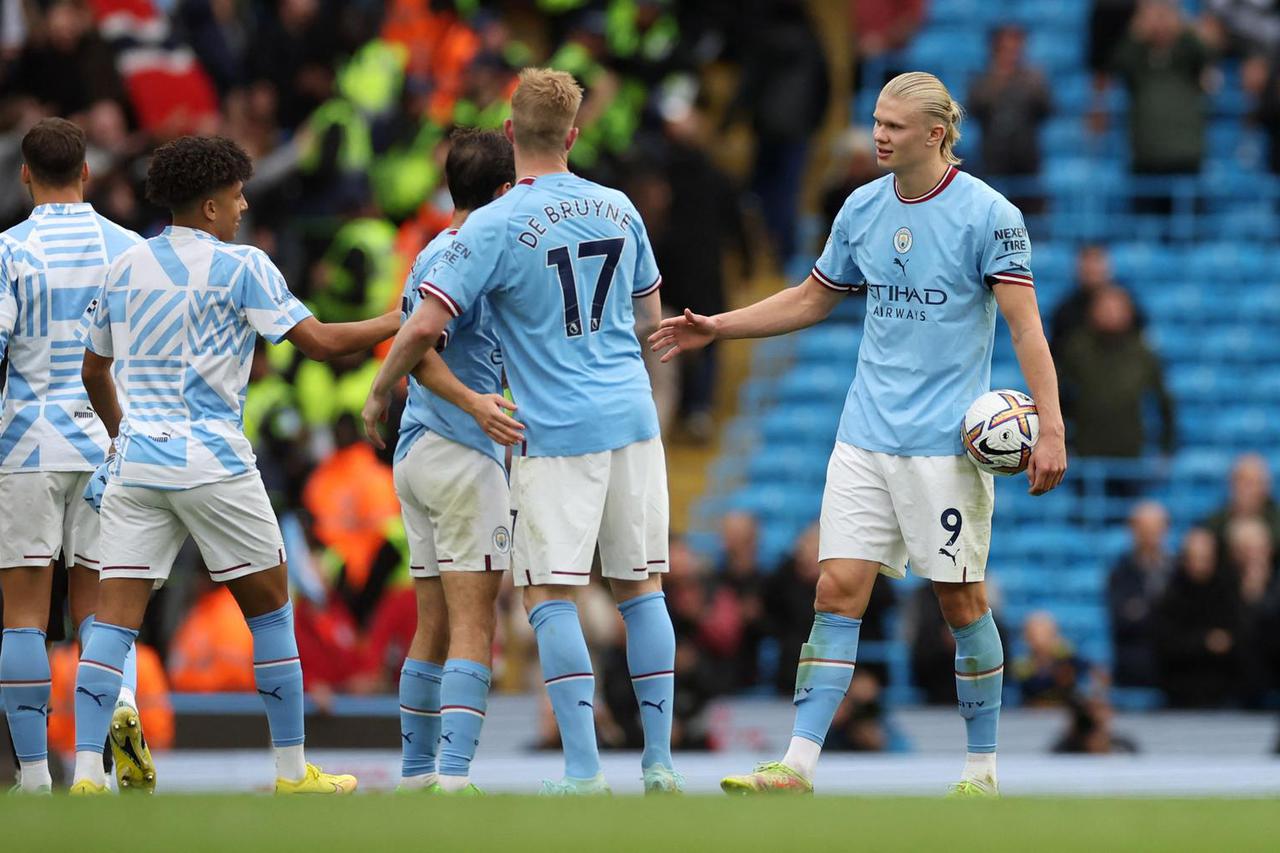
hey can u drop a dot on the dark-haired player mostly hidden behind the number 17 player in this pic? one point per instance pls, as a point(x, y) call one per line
point(452, 485)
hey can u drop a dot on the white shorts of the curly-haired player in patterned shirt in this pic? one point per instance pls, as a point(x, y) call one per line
point(232, 523)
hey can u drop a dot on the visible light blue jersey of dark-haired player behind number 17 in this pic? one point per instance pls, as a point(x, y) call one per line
point(470, 350)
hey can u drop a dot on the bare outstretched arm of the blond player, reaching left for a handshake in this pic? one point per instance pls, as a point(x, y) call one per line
point(796, 308)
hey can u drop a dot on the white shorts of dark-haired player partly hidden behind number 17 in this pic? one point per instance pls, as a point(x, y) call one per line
point(456, 508)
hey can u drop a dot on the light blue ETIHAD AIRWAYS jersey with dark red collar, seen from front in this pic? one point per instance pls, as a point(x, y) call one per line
point(929, 266)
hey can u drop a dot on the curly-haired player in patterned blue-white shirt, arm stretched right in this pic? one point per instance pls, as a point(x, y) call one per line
point(172, 332)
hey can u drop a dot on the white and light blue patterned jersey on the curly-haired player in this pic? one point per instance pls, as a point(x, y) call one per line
point(179, 314)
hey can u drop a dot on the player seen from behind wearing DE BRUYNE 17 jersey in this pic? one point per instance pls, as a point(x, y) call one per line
point(566, 267)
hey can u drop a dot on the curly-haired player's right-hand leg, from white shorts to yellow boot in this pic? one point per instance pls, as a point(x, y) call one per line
point(240, 540)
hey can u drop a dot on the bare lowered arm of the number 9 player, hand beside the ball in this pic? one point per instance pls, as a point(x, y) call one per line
point(1049, 460)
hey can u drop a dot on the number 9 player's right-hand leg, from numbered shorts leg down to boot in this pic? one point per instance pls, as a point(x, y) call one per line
point(945, 512)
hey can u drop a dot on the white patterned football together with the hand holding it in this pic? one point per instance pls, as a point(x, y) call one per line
point(1002, 434)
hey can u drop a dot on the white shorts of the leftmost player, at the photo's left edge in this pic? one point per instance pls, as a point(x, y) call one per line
point(44, 514)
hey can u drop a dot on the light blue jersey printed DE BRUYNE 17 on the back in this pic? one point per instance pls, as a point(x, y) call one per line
point(560, 261)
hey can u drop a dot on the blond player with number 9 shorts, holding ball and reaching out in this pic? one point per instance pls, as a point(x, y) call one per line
point(938, 253)
